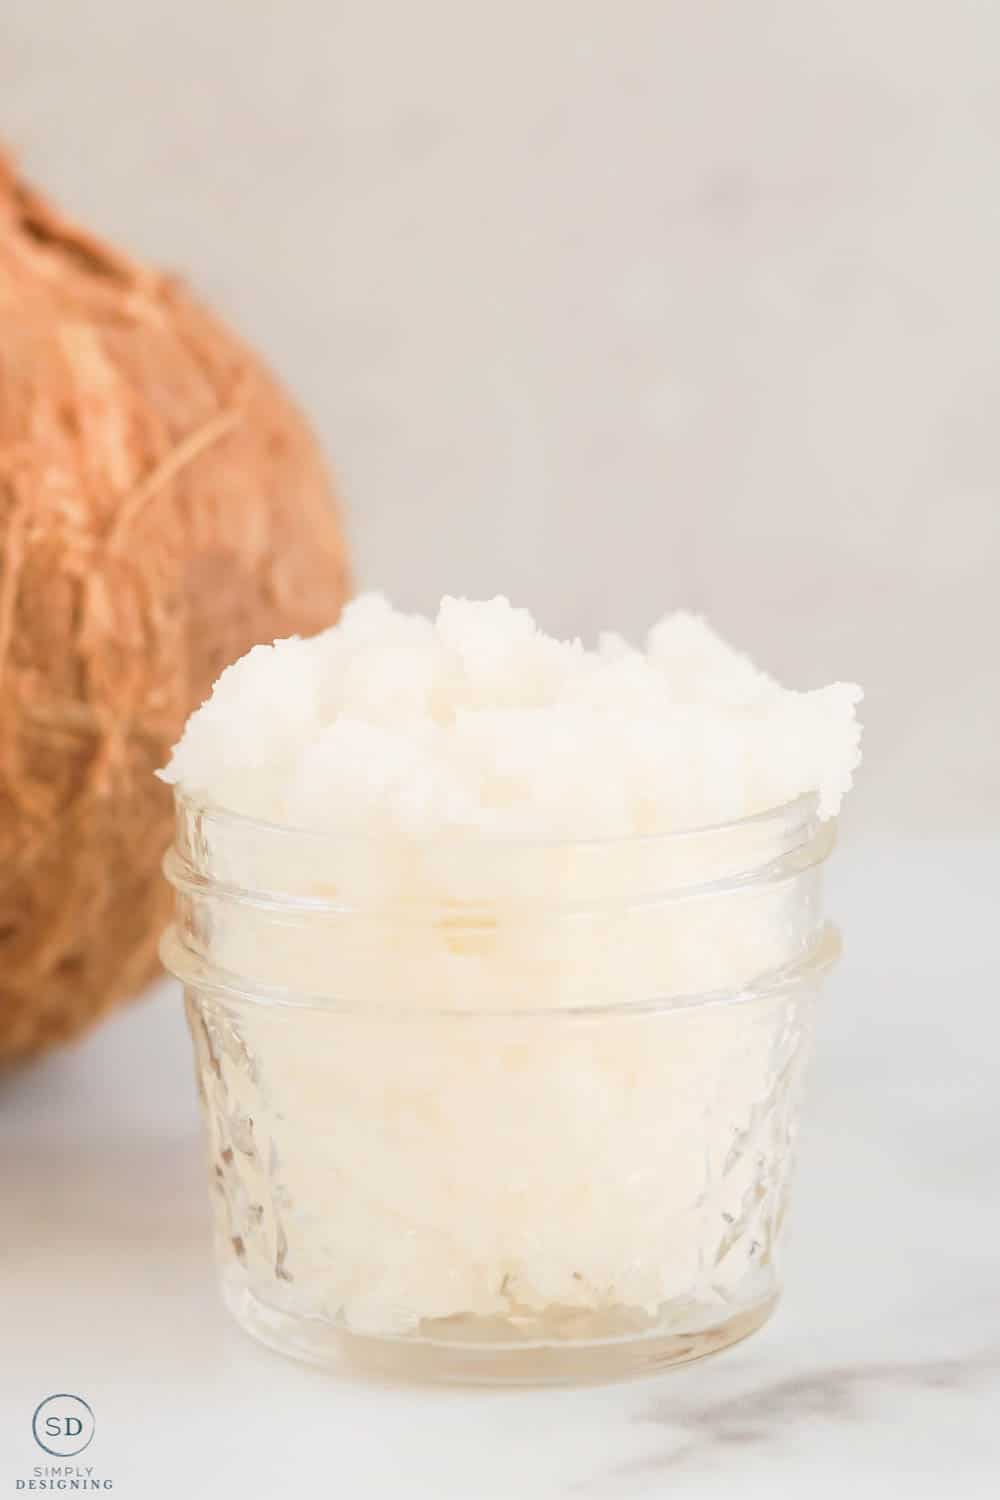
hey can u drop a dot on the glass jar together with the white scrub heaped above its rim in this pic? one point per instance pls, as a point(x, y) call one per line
point(500, 958)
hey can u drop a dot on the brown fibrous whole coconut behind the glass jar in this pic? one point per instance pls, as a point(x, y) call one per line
point(163, 509)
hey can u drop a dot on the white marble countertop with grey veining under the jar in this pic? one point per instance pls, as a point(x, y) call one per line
point(879, 1373)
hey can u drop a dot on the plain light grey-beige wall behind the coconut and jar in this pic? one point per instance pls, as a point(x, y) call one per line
point(606, 307)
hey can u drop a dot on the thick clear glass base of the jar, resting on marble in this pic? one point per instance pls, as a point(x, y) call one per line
point(454, 1363)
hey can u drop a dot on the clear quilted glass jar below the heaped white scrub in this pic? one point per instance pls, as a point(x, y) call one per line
point(504, 1111)
